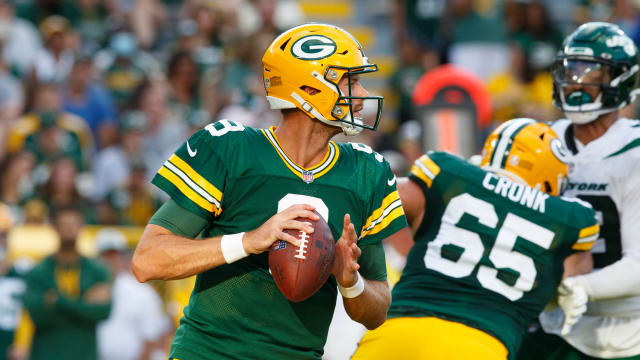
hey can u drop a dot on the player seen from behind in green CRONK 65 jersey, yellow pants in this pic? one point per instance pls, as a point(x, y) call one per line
point(488, 252)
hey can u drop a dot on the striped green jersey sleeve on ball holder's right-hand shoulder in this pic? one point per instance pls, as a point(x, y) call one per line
point(385, 213)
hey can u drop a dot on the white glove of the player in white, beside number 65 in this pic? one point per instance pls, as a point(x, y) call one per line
point(572, 298)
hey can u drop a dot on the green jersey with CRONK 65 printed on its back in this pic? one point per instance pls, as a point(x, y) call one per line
point(489, 252)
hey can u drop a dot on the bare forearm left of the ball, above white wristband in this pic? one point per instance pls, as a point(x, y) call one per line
point(163, 255)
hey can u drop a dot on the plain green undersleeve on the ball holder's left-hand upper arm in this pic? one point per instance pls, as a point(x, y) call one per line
point(178, 220)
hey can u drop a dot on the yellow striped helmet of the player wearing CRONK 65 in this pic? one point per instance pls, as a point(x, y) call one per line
point(530, 151)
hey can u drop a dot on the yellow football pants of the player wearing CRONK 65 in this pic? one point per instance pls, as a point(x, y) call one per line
point(428, 338)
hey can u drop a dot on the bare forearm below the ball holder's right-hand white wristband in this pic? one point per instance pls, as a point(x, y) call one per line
point(370, 307)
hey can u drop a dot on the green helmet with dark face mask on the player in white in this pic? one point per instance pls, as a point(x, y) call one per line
point(595, 72)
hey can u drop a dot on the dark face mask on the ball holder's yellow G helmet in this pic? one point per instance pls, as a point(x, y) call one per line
point(343, 100)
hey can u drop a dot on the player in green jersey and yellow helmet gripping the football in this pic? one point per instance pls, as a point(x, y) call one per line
point(241, 187)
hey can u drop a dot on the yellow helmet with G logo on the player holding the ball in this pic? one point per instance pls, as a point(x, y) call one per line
point(317, 56)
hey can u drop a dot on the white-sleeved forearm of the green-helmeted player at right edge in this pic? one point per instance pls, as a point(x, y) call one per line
point(619, 279)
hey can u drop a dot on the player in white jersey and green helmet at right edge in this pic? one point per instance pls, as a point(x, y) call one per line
point(595, 75)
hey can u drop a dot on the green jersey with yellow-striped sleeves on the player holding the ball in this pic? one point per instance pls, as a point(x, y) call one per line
point(238, 177)
